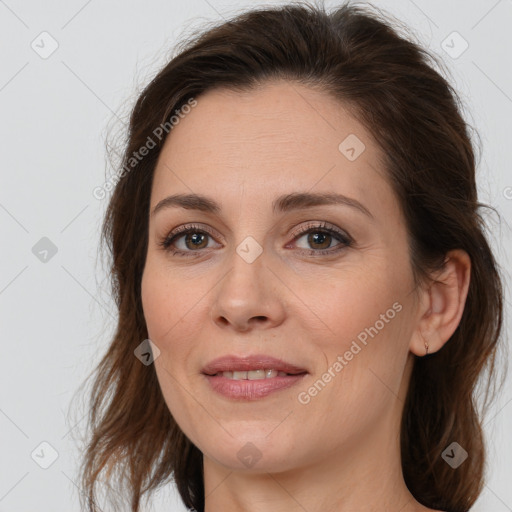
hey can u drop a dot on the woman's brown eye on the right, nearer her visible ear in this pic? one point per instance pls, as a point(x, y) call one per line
point(319, 239)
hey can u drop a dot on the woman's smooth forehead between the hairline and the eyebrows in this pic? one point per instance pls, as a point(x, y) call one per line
point(277, 138)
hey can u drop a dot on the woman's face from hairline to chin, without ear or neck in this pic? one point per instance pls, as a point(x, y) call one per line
point(325, 286)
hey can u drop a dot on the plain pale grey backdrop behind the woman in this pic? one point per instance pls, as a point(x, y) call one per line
point(69, 73)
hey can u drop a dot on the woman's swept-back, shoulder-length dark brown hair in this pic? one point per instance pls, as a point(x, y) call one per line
point(391, 85)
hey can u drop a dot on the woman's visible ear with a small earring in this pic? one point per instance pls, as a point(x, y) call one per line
point(442, 304)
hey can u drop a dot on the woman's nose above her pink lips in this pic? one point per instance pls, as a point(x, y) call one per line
point(249, 296)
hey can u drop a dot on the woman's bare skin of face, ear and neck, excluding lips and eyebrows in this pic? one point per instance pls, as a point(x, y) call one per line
point(339, 452)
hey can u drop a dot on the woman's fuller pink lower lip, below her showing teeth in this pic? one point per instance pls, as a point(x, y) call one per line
point(251, 389)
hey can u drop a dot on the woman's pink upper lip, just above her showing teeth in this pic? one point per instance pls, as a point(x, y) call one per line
point(254, 362)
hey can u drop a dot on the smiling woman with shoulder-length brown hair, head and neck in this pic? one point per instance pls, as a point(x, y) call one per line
point(295, 227)
